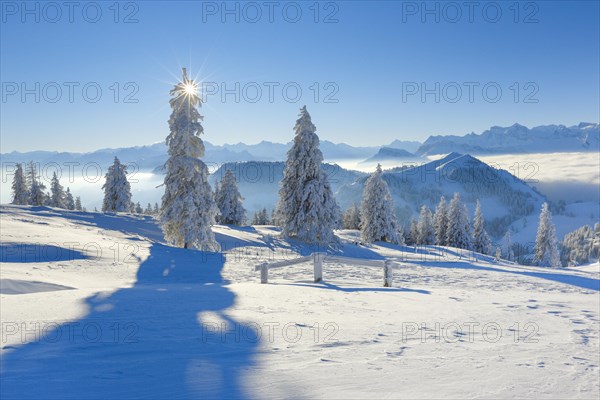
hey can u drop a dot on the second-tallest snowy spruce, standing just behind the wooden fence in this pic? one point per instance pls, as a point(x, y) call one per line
point(306, 209)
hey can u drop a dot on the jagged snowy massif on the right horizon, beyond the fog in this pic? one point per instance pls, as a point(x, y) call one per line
point(518, 139)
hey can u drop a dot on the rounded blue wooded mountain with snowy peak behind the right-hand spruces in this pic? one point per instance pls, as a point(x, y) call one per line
point(504, 197)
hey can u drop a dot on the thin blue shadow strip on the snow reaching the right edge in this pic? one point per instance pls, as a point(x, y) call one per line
point(568, 279)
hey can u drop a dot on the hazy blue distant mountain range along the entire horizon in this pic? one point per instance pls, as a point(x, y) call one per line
point(496, 140)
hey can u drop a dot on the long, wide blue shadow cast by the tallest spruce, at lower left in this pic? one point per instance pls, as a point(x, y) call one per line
point(141, 342)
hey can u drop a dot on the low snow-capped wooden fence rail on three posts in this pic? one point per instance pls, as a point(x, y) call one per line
point(319, 258)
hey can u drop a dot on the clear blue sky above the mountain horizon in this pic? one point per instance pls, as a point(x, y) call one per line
point(373, 58)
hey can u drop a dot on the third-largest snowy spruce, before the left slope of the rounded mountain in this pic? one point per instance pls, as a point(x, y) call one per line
point(378, 218)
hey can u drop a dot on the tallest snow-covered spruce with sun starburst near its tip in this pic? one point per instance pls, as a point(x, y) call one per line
point(188, 207)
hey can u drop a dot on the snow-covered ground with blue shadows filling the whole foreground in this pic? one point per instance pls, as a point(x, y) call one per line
point(97, 306)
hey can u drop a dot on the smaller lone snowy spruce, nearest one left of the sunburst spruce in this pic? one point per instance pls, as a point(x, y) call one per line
point(117, 190)
